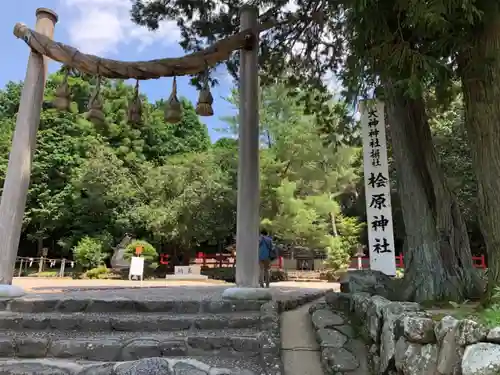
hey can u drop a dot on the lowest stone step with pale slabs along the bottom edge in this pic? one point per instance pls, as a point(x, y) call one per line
point(152, 366)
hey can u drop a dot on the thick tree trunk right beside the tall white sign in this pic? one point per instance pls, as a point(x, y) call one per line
point(438, 260)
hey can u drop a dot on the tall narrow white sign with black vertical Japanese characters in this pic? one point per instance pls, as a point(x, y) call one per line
point(377, 188)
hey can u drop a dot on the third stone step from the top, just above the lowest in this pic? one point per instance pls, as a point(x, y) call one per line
point(128, 346)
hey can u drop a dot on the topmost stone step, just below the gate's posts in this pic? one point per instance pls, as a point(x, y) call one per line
point(58, 303)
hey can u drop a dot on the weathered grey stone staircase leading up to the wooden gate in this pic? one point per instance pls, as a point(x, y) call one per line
point(57, 335)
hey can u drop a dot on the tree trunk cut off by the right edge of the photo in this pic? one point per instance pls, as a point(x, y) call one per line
point(479, 67)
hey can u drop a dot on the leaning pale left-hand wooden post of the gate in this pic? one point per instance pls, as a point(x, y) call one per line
point(17, 179)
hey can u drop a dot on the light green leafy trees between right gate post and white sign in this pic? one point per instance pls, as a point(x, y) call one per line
point(303, 178)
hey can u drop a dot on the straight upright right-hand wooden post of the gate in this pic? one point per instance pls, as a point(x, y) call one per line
point(247, 222)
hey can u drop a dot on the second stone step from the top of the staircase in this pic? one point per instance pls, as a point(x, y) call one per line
point(128, 322)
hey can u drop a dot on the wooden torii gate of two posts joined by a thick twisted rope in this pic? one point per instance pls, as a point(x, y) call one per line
point(42, 46)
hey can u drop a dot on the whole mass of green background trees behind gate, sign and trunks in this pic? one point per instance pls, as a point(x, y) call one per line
point(166, 184)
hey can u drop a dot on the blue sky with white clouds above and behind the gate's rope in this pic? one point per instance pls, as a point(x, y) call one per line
point(101, 27)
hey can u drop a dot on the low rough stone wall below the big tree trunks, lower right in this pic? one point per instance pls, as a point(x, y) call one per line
point(404, 339)
